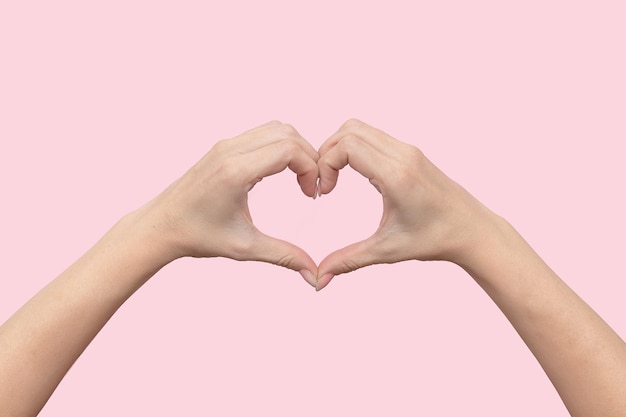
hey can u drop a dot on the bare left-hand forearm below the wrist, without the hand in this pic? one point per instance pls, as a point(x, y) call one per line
point(41, 341)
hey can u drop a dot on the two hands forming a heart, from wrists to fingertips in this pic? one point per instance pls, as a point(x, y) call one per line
point(426, 215)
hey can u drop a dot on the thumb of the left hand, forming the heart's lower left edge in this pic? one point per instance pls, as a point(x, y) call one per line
point(279, 252)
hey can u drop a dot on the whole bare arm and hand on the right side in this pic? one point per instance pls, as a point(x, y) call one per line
point(427, 216)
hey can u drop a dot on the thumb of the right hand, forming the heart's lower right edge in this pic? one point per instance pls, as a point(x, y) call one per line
point(352, 257)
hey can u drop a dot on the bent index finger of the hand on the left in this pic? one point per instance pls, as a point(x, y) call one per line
point(275, 157)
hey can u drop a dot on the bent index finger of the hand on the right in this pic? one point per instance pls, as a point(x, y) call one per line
point(350, 150)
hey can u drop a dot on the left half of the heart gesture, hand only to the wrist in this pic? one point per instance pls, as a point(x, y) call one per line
point(205, 213)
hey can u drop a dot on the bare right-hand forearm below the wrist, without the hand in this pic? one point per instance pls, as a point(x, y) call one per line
point(583, 357)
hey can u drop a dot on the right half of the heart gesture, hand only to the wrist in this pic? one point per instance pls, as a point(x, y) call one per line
point(426, 215)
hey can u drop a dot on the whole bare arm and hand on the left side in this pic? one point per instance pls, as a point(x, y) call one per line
point(203, 214)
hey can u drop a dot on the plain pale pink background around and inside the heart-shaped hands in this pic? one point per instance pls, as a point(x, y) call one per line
point(103, 104)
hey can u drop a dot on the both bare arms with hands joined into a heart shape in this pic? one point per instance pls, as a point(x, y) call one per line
point(426, 216)
